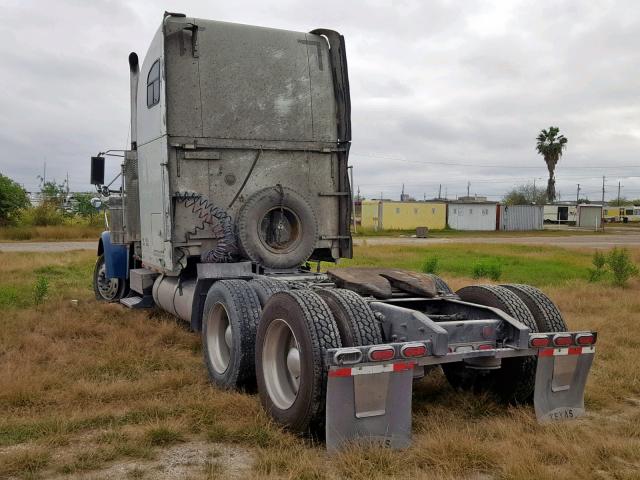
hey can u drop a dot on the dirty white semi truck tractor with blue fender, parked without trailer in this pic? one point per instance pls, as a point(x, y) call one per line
point(233, 191)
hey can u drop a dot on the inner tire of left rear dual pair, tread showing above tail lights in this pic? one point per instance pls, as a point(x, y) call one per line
point(355, 320)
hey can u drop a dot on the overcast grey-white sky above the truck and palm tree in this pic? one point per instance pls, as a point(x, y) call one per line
point(443, 92)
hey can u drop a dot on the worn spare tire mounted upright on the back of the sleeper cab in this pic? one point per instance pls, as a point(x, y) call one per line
point(277, 228)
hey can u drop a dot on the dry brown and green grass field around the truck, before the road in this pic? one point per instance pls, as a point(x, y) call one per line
point(97, 391)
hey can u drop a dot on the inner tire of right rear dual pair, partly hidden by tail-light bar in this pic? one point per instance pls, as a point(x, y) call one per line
point(514, 381)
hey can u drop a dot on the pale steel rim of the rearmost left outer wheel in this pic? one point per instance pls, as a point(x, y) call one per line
point(281, 366)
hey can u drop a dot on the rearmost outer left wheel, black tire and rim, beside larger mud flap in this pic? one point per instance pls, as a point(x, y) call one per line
point(295, 331)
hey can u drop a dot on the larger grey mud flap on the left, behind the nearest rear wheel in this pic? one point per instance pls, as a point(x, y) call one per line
point(369, 405)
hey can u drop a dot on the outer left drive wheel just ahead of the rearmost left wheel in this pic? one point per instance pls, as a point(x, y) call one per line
point(229, 321)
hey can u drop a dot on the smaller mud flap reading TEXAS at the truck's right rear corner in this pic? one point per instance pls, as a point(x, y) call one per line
point(561, 376)
